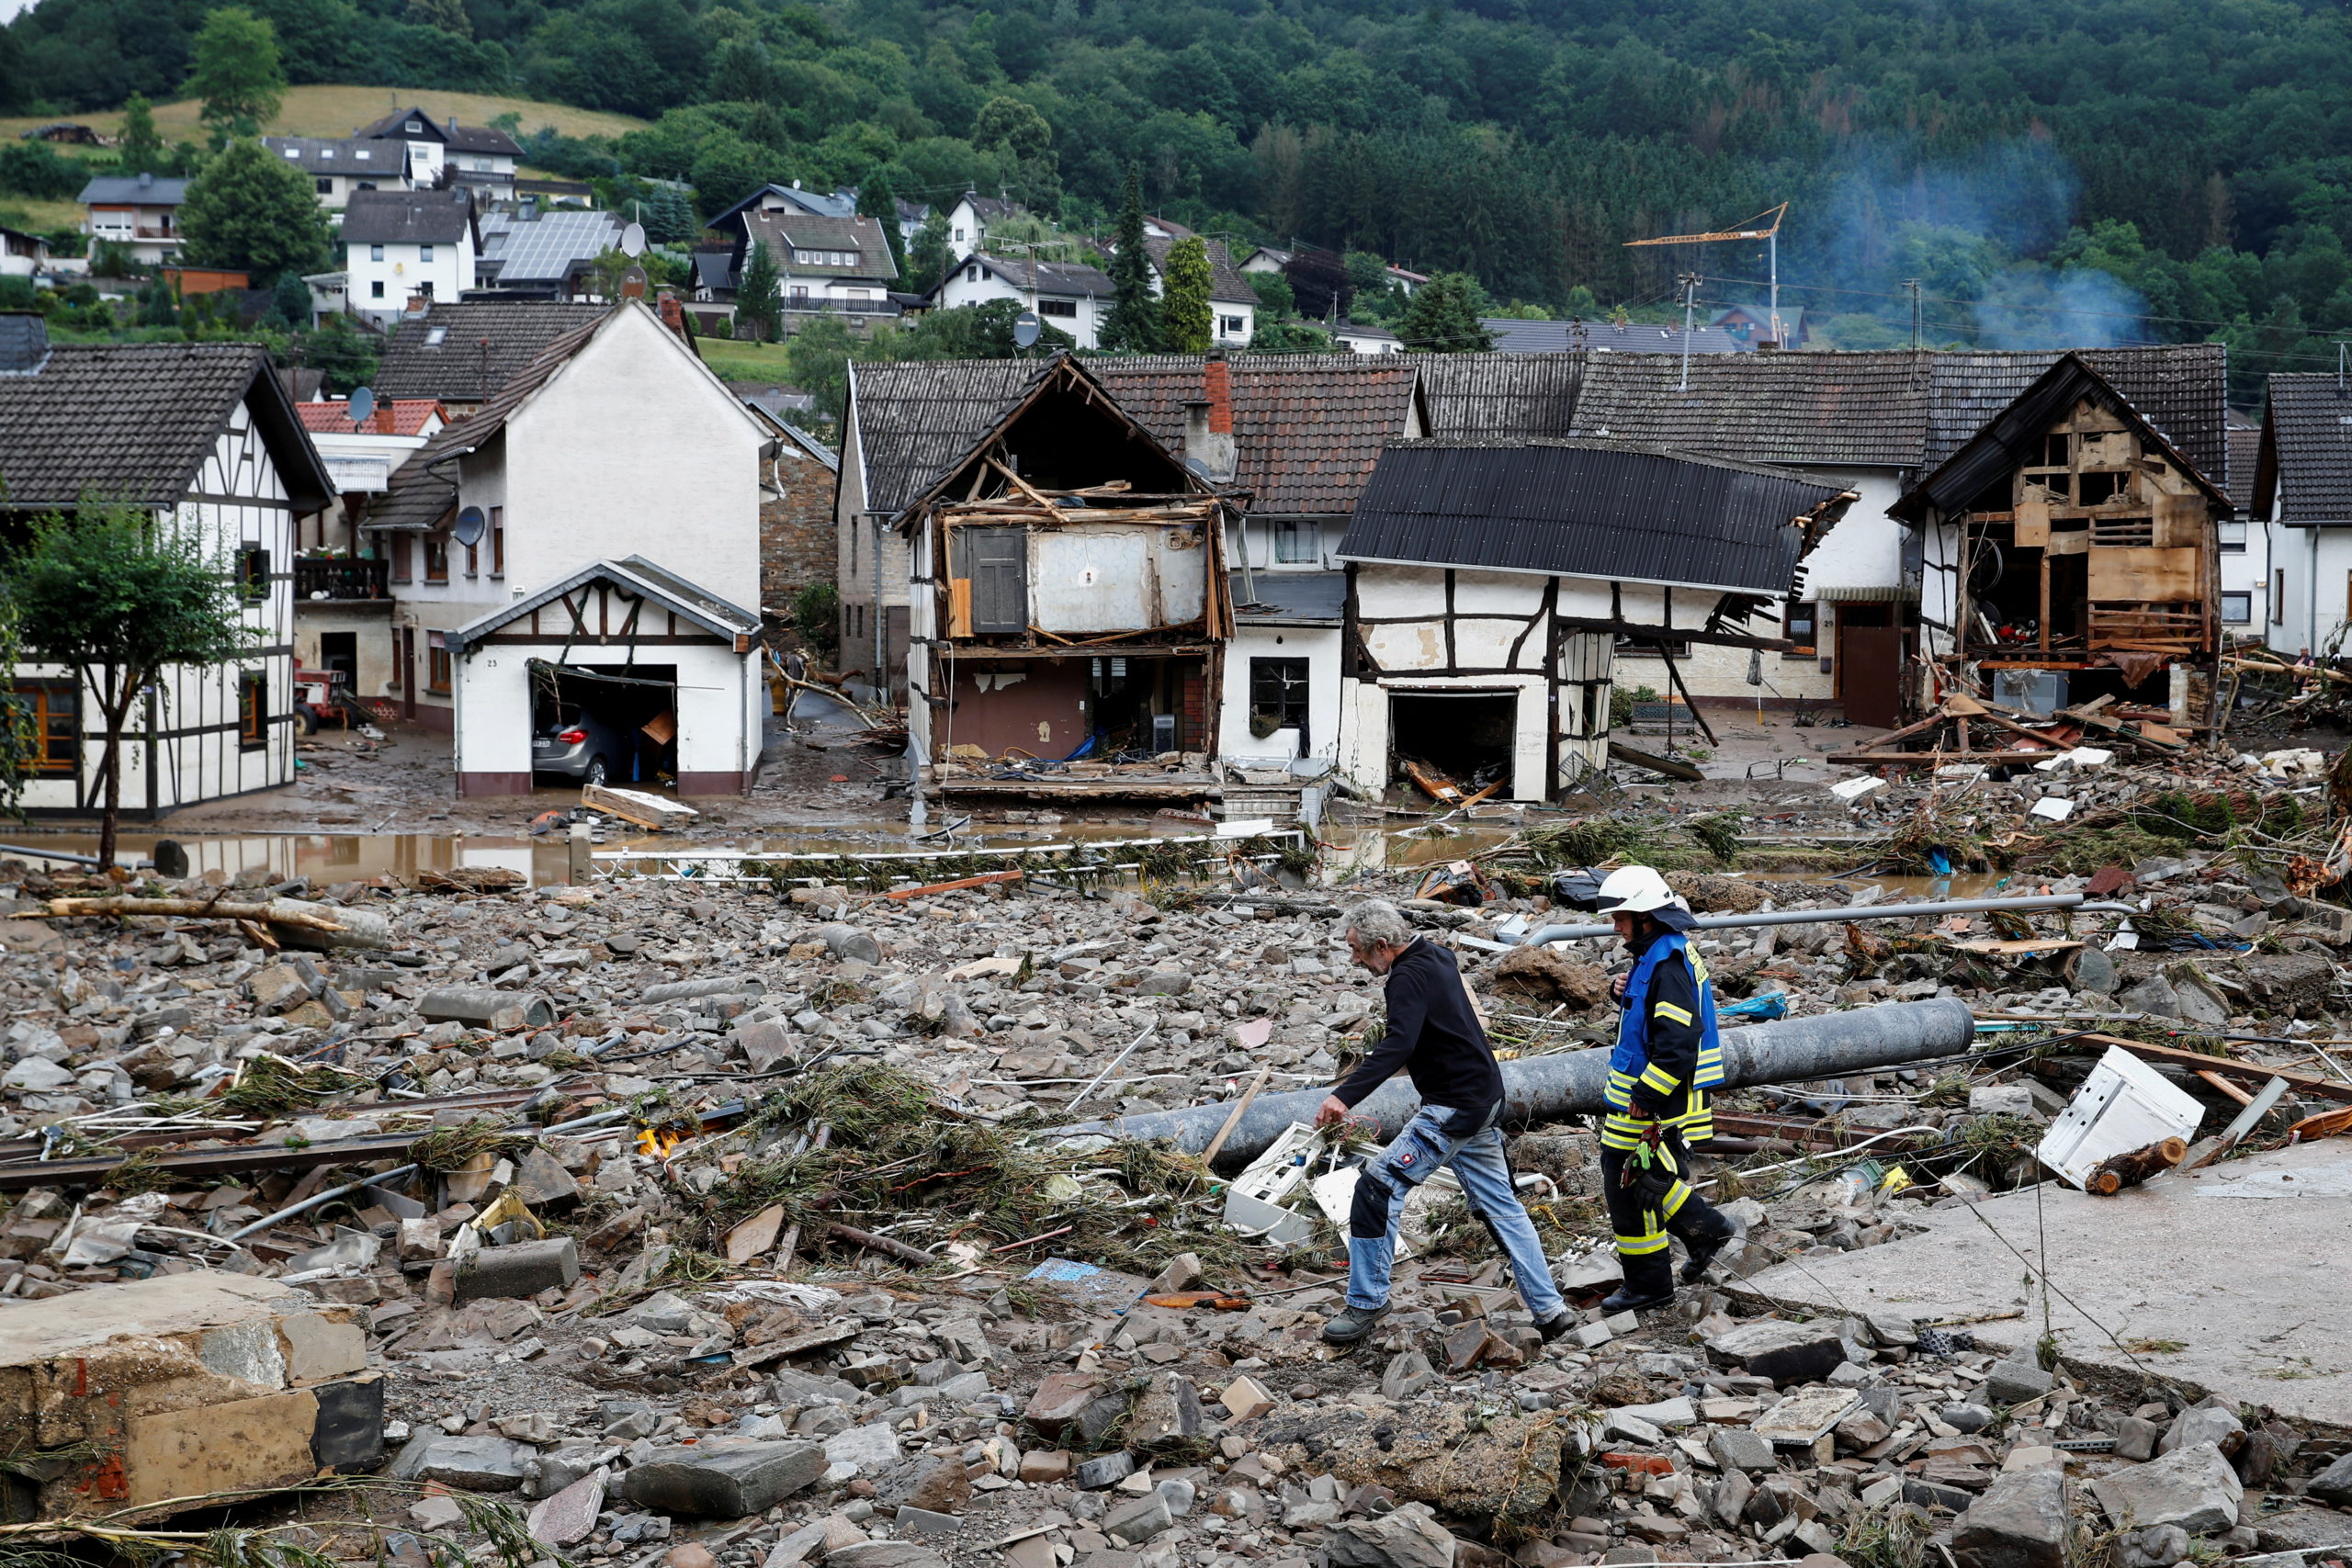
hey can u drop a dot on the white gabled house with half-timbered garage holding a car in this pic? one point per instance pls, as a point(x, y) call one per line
point(613, 469)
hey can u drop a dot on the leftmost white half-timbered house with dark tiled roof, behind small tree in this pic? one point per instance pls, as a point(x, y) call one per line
point(206, 441)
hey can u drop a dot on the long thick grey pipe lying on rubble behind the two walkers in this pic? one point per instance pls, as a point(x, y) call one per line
point(1570, 1083)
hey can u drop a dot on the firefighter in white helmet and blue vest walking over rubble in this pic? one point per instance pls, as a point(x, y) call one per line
point(1659, 1076)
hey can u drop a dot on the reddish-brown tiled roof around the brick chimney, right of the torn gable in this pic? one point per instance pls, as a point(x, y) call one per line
point(1307, 429)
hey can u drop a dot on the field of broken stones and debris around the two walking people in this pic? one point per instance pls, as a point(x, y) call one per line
point(740, 1219)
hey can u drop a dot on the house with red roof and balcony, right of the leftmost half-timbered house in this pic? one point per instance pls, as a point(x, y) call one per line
point(342, 591)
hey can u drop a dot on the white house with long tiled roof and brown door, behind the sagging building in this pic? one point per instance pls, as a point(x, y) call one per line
point(1876, 424)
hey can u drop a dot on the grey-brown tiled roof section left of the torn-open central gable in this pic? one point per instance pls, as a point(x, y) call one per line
point(918, 417)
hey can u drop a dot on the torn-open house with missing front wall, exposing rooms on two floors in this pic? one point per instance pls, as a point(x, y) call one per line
point(1069, 605)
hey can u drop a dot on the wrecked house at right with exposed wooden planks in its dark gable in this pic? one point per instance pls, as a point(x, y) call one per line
point(2071, 551)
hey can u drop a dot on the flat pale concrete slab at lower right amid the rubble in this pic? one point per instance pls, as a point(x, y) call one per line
point(2243, 1264)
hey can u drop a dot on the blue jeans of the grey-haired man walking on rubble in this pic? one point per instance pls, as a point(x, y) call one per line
point(1474, 1146)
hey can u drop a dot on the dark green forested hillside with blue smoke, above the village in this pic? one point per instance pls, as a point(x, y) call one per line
point(2007, 154)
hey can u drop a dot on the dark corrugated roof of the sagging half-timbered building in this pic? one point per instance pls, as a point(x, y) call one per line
point(1586, 509)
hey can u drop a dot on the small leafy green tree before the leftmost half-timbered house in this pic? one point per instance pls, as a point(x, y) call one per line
point(119, 598)
